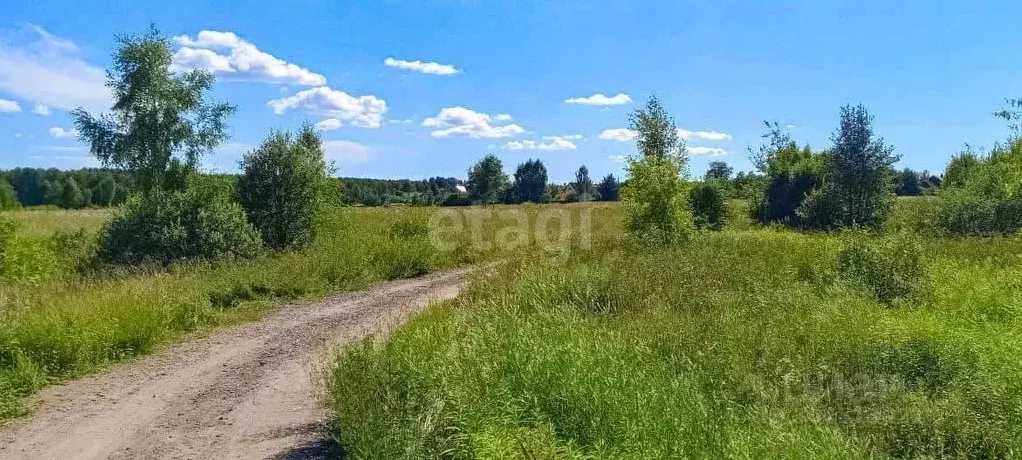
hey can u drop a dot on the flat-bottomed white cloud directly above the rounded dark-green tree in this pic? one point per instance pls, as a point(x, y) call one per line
point(362, 112)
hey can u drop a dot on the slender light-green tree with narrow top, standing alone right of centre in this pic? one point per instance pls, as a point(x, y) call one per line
point(657, 197)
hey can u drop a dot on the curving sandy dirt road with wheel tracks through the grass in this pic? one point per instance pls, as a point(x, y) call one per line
point(245, 393)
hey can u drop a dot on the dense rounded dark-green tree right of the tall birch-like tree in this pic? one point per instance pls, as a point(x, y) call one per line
point(282, 187)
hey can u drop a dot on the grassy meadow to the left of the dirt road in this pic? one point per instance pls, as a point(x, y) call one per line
point(60, 325)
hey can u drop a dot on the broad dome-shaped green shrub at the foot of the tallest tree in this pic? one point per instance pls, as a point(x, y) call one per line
point(199, 223)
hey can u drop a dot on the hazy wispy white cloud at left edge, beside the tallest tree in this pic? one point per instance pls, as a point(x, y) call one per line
point(38, 67)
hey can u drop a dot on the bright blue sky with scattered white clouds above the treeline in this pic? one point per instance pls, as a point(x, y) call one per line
point(496, 76)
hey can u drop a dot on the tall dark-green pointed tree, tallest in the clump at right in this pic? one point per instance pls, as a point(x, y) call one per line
point(858, 189)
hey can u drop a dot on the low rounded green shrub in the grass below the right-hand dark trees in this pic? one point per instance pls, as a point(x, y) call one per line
point(889, 268)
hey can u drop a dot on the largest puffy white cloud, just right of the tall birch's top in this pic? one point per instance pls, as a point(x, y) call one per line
point(227, 56)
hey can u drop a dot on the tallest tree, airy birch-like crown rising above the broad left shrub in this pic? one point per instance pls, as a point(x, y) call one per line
point(161, 122)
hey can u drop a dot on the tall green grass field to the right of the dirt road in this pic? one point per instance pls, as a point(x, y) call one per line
point(745, 344)
